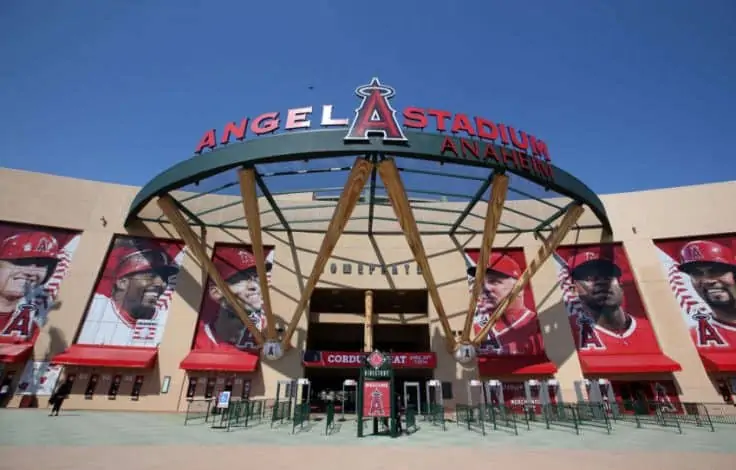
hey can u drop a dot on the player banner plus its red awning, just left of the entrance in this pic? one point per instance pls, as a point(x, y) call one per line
point(220, 330)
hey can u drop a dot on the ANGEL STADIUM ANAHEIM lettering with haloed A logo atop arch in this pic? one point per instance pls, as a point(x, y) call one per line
point(465, 137)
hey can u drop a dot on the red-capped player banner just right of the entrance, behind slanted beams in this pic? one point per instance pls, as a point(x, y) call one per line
point(517, 331)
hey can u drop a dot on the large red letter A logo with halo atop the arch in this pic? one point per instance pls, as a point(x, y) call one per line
point(375, 116)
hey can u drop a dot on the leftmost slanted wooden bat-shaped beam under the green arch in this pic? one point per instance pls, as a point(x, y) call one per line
point(168, 207)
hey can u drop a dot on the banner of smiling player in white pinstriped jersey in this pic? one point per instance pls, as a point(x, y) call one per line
point(131, 301)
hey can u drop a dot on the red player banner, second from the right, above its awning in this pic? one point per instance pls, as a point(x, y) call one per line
point(605, 310)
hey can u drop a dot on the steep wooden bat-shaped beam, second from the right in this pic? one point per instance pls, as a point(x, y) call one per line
point(499, 188)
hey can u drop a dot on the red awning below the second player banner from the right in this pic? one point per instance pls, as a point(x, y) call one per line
point(628, 364)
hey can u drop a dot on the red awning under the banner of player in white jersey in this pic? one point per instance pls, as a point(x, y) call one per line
point(90, 355)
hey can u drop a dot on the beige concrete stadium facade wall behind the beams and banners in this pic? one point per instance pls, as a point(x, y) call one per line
point(97, 209)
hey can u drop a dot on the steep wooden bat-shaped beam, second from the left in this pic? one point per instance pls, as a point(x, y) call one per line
point(249, 195)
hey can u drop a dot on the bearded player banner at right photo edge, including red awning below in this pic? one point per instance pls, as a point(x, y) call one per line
point(702, 275)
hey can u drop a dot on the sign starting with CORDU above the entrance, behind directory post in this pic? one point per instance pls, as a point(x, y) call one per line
point(427, 360)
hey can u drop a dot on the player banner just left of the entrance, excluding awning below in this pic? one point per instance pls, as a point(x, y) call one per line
point(220, 326)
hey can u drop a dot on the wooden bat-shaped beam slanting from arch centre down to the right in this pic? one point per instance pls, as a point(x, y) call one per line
point(397, 195)
